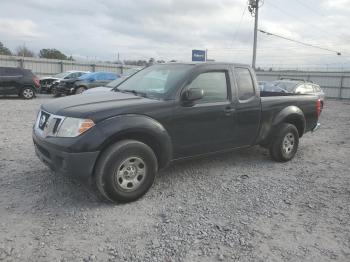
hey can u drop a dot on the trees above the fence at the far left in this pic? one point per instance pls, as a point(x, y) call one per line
point(49, 53)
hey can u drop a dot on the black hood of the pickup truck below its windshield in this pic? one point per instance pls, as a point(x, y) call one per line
point(98, 106)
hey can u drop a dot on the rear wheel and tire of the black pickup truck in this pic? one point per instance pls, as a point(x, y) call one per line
point(285, 143)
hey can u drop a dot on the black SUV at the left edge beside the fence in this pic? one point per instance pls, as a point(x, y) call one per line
point(18, 81)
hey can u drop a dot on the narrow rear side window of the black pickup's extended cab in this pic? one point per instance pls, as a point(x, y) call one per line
point(245, 84)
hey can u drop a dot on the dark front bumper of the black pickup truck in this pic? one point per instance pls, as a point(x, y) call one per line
point(75, 164)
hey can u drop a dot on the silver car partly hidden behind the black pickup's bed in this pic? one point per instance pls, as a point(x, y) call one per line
point(295, 86)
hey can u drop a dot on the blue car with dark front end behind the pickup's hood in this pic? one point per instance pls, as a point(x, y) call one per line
point(85, 82)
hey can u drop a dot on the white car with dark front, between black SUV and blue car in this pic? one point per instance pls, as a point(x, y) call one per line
point(49, 83)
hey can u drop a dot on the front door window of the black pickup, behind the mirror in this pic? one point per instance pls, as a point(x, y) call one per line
point(214, 85)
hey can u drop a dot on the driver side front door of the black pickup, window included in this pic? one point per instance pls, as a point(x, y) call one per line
point(208, 124)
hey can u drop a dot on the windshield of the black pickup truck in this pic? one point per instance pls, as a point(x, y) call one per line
point(155, 81)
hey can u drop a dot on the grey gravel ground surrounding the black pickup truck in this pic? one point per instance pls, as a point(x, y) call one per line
point(235, 207)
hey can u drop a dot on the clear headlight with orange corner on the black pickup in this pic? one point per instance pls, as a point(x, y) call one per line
point(72, 127)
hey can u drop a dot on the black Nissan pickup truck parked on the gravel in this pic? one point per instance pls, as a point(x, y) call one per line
point(164, 113)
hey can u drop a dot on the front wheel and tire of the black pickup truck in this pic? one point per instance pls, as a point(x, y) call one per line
point(125, 171)
